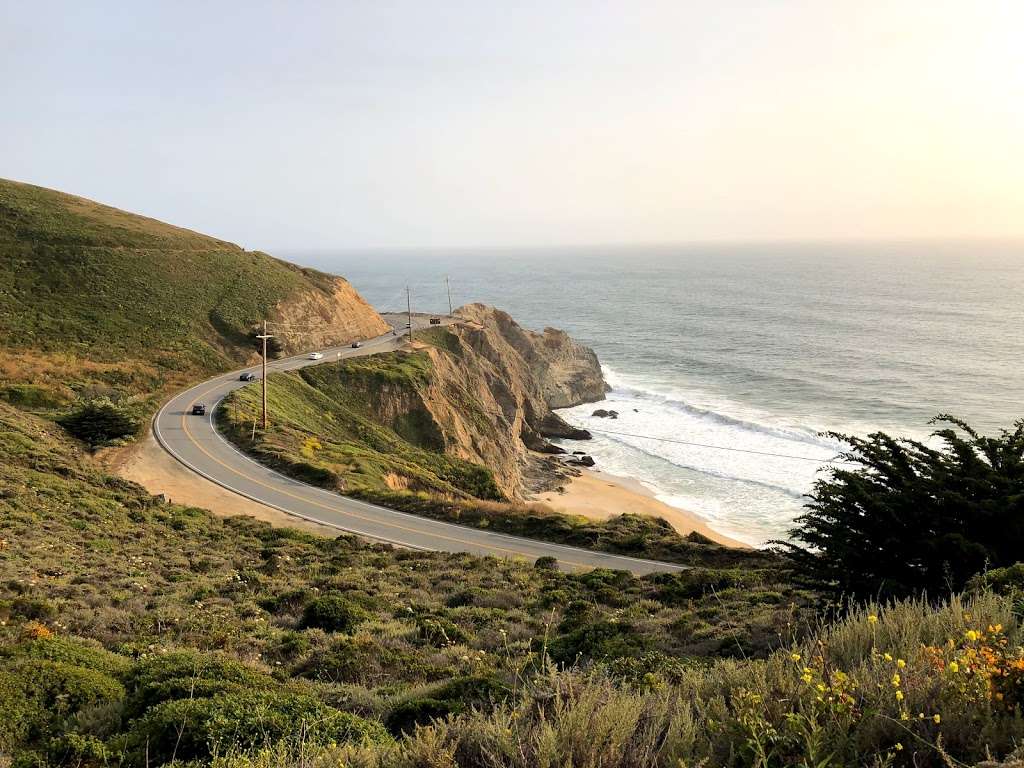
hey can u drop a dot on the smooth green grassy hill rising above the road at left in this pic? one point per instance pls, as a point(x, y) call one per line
point(97, 302)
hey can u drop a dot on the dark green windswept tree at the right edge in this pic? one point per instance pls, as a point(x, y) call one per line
point(909, 520)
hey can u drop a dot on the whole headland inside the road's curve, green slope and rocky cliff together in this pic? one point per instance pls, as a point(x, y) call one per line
point(470, 398)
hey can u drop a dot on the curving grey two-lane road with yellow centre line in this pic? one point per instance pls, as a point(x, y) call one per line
point(195, 442)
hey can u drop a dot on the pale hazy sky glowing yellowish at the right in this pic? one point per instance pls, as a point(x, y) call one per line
point(531, 123)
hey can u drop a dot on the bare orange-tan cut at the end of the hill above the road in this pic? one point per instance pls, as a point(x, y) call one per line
point(325, 317)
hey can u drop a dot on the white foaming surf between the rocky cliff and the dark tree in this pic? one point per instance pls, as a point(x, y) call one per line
point(747, 477)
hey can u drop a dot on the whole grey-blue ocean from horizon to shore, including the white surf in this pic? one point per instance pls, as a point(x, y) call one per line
point(729, 363)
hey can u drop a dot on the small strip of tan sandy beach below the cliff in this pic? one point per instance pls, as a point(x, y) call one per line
point(601, 496)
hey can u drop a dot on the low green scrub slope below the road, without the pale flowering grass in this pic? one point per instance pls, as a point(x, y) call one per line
point(125, 621)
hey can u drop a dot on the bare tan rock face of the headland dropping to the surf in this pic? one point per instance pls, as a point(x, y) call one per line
point(490, 396)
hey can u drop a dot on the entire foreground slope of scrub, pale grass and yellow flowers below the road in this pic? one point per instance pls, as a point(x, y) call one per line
point(136, 632)
